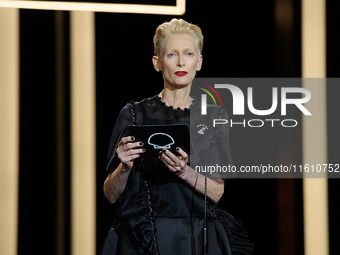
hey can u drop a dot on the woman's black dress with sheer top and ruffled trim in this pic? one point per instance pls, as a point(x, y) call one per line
point(158, 213)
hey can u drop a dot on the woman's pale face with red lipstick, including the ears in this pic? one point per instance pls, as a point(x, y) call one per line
point(180, 60)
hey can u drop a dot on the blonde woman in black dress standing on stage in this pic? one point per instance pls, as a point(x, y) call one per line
point(160, 200)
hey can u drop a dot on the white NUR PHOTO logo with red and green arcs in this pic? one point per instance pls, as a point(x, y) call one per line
point(278, 102)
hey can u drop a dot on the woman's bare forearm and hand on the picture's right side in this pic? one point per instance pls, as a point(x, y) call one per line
point(215, 187)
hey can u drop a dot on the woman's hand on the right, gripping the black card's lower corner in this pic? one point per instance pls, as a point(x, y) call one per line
point(176, 164)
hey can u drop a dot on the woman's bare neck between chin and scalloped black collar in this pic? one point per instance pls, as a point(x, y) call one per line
point(177, 98)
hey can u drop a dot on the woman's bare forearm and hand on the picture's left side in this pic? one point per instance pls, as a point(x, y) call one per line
point(127, 152)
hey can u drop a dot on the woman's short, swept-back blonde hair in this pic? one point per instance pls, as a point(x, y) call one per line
point(176, 26)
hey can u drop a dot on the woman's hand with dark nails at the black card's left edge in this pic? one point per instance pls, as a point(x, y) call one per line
point(128, 151)
